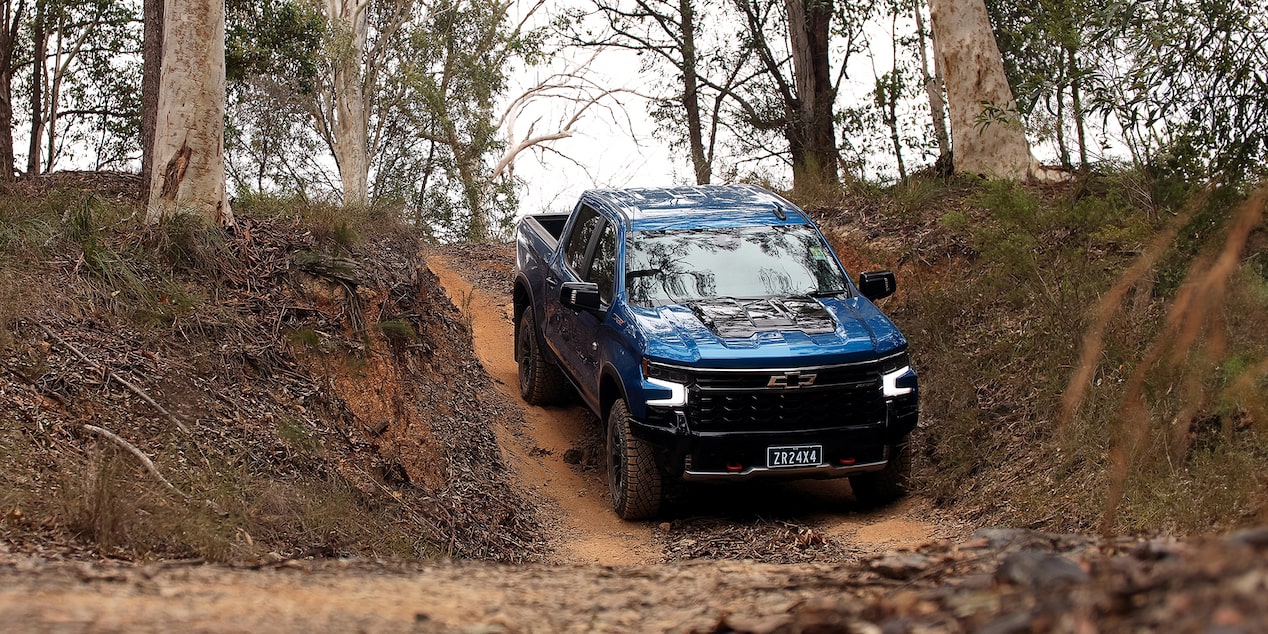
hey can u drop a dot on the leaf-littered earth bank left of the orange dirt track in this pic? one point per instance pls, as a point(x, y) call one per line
point(300, 389)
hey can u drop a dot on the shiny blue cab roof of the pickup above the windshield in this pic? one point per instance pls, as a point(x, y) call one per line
point(698, 207)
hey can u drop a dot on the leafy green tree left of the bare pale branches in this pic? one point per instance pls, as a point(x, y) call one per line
point(444, 154)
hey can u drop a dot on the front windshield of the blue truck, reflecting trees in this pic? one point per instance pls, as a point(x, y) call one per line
point(741, 263)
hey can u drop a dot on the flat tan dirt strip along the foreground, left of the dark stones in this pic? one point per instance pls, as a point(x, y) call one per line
point(467, 597)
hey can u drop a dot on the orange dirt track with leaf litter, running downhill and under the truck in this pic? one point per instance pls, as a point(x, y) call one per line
point(557, 455)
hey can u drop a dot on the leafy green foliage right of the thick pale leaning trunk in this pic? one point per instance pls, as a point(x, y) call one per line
point(1182, 78)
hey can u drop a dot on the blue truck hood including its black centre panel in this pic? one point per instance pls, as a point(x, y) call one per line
point(782, 333)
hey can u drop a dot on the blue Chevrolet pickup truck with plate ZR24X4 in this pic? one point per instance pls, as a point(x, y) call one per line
point(717, 335)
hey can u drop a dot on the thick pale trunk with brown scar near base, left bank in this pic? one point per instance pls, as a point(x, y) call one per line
point(190, 134)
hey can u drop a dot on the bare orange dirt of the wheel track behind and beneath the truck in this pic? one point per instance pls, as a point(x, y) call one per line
point(589, 531)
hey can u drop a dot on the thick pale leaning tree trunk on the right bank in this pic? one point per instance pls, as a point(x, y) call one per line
point(987, 136)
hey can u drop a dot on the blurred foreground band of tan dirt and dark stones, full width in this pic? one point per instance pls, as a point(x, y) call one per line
point(997, 581)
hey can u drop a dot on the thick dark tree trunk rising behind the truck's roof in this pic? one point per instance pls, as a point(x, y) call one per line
point(813, 141)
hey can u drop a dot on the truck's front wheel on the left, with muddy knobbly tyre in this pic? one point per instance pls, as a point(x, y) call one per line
point(633, 475)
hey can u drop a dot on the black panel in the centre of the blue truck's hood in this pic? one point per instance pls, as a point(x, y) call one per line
point(742, 319)
